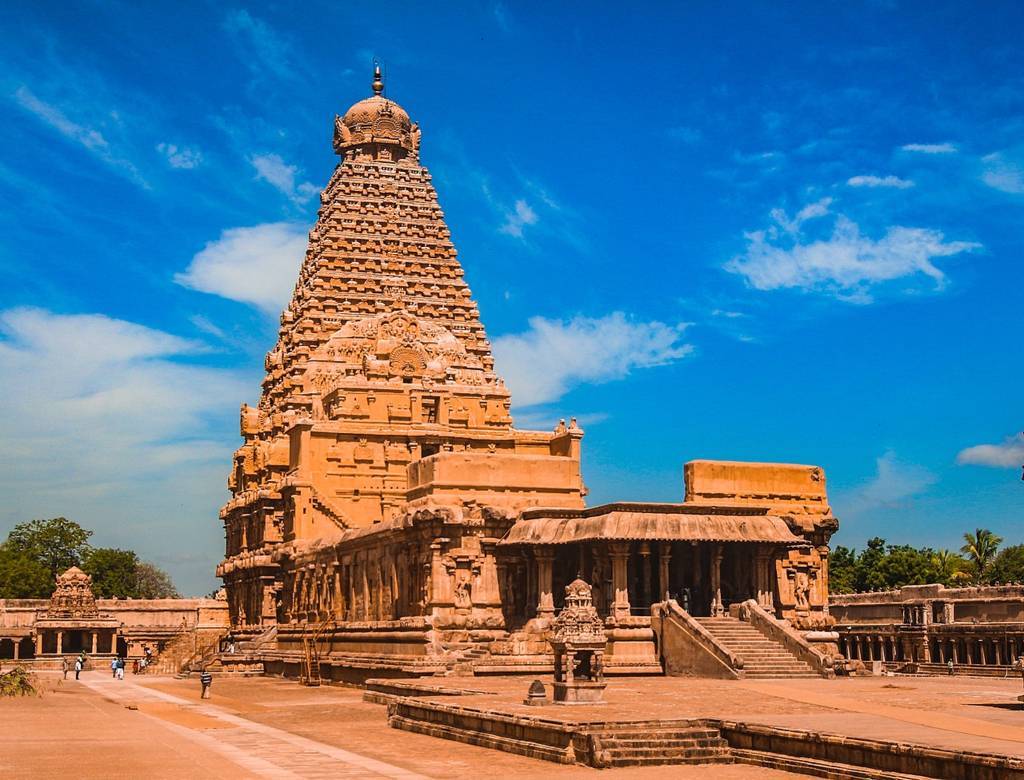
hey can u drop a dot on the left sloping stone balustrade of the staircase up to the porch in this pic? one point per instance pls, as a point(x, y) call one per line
point(688, 648)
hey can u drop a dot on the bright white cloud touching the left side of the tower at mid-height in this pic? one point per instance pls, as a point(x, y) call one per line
point(255, 266)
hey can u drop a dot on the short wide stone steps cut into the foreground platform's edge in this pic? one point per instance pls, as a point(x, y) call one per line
point(667, 745)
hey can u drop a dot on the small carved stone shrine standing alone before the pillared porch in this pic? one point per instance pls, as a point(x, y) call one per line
point(579, 646)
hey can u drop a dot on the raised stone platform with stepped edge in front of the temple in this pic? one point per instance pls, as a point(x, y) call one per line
point(866, 728)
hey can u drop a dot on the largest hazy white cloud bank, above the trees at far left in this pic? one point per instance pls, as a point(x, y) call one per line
point(119, 427)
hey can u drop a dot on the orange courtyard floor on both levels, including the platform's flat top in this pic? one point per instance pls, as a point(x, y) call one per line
point(269, 728)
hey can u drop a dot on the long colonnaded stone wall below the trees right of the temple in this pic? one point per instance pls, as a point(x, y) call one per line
point(971, 627)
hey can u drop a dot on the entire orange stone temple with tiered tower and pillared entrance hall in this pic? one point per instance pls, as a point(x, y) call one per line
point(388, 515)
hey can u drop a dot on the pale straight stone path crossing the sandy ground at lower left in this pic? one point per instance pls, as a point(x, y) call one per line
point(263, 751)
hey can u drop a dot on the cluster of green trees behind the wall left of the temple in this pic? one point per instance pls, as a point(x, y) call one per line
point(36, 552)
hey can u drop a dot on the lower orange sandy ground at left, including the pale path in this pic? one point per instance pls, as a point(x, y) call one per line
point(257, 728)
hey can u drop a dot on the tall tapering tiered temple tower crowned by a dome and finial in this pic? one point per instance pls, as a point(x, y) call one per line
point(381, 362)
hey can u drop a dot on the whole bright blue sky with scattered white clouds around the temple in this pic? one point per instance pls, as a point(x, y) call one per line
point(708, 231)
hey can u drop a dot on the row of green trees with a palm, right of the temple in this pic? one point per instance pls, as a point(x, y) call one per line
point(881, 567)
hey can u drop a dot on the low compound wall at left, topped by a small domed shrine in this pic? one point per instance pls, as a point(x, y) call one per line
point(73, 621)
